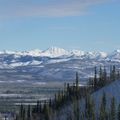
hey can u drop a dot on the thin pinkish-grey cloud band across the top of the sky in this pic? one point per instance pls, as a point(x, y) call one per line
point(51, 8)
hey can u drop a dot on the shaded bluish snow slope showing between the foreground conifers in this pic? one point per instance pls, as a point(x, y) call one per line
point(112, 90)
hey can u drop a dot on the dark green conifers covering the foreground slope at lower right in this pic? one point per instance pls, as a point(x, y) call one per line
point(76, 102)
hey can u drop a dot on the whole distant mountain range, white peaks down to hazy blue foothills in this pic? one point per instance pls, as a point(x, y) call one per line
point(56, 63)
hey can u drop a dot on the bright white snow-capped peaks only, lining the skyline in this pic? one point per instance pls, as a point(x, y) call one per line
point(57, 52)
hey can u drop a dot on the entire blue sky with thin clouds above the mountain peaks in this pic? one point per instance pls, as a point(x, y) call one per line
point(87, 25)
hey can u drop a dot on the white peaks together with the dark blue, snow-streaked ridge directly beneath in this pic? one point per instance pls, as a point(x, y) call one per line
point(51, 56)
